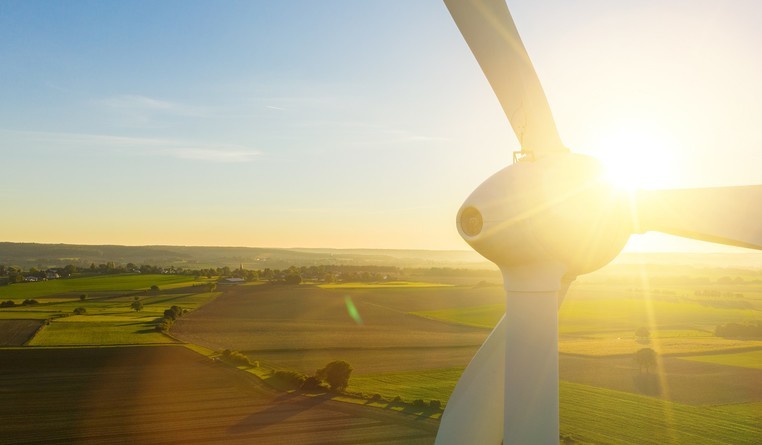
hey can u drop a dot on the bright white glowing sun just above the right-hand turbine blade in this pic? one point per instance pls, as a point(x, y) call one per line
point(636, 157)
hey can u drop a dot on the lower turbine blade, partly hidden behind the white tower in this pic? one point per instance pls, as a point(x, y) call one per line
point(474, 413)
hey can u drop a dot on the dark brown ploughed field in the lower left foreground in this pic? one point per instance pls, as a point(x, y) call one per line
point(137, 395)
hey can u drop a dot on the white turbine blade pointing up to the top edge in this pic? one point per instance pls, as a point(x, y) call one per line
point(491, 34)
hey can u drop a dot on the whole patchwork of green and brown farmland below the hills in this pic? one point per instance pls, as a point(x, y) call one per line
point(407, 339)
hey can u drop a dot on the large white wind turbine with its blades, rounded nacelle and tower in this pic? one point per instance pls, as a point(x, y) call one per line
point(544, 220)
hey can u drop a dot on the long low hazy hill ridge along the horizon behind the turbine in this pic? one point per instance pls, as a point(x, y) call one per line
point(56, 255)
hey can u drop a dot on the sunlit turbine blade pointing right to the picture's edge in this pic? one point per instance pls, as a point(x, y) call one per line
point(724, 215)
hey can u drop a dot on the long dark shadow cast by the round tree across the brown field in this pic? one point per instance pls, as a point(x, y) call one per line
point(280, 409)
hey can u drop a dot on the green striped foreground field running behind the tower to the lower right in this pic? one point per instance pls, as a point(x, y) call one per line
point(598, 415)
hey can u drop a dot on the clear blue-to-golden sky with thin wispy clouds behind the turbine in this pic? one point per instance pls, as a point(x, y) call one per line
point(345, 123)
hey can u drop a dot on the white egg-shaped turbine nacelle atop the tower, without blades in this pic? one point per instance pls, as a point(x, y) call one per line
point(556, 209)
